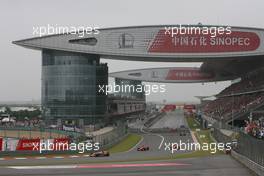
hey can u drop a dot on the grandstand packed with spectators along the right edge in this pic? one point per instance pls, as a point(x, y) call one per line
point(239, 101)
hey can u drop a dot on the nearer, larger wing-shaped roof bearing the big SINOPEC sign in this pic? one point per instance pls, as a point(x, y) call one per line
point(229, 53)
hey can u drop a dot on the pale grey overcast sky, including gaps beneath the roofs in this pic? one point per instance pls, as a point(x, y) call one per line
point(20, 68)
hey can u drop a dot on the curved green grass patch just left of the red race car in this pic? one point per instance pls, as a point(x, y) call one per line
point(130, 141)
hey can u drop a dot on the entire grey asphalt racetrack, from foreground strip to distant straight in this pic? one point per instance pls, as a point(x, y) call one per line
point(125, 163)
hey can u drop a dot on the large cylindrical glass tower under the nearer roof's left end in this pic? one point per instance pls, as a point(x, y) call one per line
point(70, 83)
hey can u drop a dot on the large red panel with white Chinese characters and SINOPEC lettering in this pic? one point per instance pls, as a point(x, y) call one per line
point(237, 41)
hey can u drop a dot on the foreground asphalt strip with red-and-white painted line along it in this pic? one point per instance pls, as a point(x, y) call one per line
point(221, 165)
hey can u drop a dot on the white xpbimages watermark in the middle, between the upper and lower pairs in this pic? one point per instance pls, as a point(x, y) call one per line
point(147, 89)
